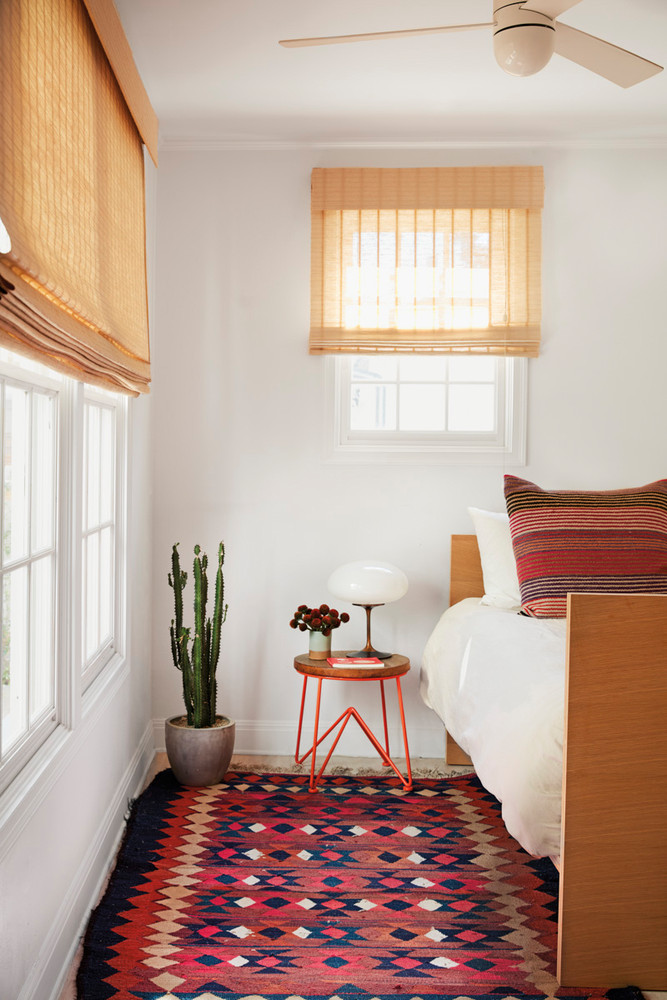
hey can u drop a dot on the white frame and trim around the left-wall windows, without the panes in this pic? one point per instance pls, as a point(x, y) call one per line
point(75, 689)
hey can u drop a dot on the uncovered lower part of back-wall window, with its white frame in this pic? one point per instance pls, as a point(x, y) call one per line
point(458, 408)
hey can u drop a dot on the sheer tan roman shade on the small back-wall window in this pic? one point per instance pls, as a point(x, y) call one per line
point(426, 260)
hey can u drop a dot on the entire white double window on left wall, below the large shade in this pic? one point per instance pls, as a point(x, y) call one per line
point(51, 427)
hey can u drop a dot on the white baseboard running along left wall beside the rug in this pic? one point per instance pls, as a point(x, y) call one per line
point(48, 975)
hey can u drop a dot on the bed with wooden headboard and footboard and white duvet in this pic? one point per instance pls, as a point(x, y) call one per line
point(601, 804)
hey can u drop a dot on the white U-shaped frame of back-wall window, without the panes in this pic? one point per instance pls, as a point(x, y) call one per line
point(505, 446)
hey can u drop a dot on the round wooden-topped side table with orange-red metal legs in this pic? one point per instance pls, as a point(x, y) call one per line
point(392, 668)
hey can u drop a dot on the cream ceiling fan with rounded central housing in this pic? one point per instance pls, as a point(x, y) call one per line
point(525, 36)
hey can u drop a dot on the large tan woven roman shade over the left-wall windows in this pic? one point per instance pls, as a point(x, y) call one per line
point(73, 285)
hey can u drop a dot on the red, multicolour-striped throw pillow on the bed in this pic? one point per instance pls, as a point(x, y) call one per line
point(568, 541)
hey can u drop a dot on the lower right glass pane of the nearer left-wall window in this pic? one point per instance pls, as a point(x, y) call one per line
point(42, 619)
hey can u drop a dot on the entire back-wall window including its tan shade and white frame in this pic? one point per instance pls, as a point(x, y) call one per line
point(426, 286)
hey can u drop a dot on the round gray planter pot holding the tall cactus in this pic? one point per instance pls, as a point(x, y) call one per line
point(199, 756)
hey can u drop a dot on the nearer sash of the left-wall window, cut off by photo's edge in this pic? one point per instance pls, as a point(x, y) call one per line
point(29, 559)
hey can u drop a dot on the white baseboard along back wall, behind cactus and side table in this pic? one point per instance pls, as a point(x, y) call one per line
point(260, 738)
